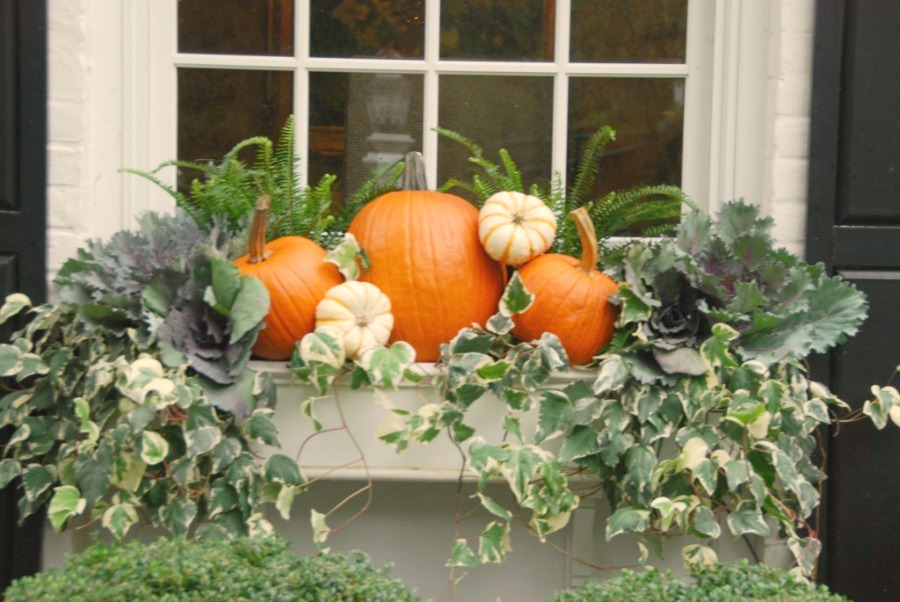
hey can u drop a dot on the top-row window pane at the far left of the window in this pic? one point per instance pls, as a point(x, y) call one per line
point(242, 27)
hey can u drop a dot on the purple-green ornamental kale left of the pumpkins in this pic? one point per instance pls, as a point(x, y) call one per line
point(172, 285)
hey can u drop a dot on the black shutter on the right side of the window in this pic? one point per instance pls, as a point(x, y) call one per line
point(854, 227)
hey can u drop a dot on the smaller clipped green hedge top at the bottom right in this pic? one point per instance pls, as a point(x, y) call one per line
point(712, 583)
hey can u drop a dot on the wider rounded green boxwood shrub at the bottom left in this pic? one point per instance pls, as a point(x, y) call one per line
point(246, 569)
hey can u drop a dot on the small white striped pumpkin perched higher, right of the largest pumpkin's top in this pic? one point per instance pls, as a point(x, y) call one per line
point(515, 227)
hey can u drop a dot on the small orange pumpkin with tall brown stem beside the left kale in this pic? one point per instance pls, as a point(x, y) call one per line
point(297, 276)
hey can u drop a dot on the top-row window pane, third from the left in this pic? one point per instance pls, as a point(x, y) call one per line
point(520, 30)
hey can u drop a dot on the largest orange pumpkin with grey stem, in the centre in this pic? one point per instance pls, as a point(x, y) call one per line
point(425, 255)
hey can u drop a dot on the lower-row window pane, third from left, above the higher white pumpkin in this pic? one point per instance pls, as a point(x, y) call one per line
point(497, 112)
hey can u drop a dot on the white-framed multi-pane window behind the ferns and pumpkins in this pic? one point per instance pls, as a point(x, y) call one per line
point(369, 80)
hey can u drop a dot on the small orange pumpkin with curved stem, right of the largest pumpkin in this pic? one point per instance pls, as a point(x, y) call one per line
point(571, 298)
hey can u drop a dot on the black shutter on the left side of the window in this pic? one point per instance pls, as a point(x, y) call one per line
point(23, 224)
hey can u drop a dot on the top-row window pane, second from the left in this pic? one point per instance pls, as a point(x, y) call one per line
point(367, 28)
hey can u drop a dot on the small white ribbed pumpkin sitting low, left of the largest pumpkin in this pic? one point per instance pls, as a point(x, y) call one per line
point(358, 313)
